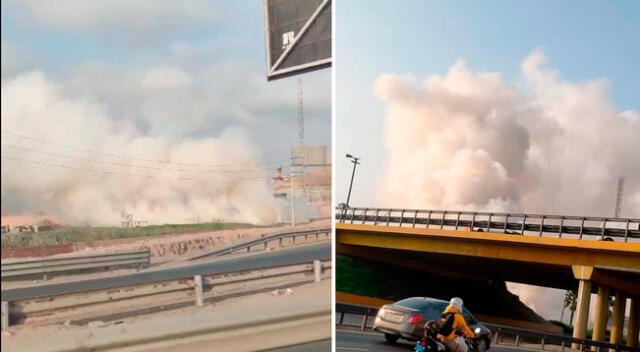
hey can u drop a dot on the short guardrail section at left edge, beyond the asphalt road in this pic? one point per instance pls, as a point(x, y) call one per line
point(45, 266)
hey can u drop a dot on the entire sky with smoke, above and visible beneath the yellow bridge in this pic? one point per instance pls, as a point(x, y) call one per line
point(526, 106)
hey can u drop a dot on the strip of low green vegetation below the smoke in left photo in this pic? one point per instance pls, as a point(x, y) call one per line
point(87, 234)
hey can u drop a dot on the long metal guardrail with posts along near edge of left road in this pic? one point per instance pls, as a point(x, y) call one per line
point(108, 301)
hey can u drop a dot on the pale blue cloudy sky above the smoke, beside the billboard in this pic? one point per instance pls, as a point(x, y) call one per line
point(224, 38)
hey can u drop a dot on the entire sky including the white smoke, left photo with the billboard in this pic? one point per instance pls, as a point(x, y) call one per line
point(148, 80)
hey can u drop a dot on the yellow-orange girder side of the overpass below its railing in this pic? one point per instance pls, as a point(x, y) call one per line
point(532, 249)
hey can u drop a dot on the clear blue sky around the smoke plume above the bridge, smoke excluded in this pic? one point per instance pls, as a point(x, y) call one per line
point(582, 40)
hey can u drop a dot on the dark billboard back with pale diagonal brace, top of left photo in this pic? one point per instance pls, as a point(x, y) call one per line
point(297, 35)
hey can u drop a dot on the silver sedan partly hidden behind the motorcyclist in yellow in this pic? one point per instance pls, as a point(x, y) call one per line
point(406, 319)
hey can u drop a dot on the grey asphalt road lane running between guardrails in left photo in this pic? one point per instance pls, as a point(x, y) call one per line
point(321, 251)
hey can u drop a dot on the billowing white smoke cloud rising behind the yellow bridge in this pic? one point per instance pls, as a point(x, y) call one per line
point(470, 140)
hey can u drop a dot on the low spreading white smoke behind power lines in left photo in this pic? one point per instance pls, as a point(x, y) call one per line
point(39, 107)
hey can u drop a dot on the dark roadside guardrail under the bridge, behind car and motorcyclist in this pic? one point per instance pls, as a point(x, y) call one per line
point(519, 335)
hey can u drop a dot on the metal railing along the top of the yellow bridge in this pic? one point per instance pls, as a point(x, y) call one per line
point(602, 228)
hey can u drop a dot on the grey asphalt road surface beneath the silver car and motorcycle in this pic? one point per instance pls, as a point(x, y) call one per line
point(355, 341)
